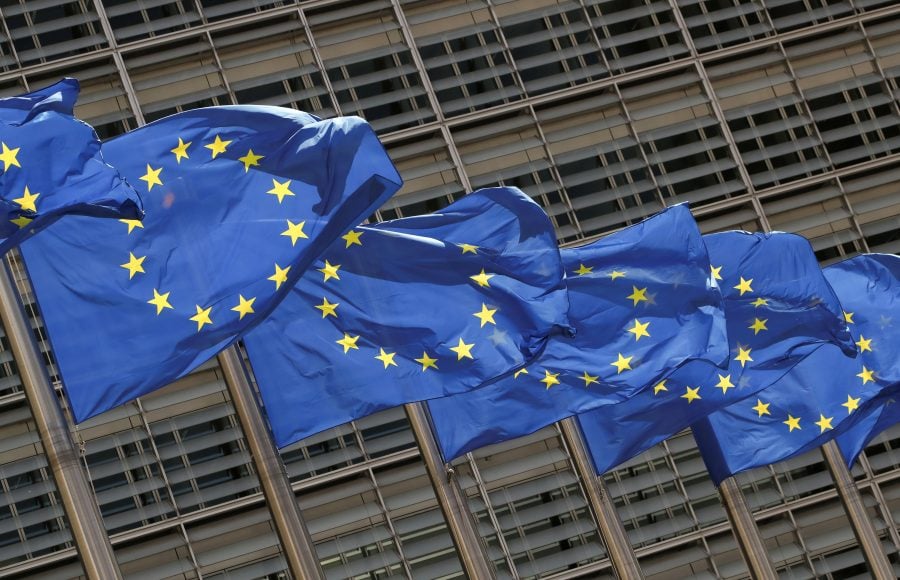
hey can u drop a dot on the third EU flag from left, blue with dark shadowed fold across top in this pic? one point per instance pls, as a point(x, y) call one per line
point(411, 309)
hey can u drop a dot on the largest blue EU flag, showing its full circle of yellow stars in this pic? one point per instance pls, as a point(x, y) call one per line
point(239, 201)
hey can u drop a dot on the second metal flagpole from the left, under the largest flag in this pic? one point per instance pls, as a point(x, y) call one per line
point(296, 543)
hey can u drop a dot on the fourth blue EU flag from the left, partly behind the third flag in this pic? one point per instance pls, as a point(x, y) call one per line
point(642, 303)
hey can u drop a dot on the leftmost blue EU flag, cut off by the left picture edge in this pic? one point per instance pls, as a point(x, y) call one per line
point(52, 166)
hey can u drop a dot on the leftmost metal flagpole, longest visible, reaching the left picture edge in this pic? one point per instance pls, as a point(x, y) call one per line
point(82, 513)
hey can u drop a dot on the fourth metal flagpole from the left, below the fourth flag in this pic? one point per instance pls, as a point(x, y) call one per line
point(612, 531)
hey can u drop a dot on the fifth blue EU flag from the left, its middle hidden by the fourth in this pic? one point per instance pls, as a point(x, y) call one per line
point(779, 309)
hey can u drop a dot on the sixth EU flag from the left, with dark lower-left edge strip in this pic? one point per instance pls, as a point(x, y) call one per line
point(823, 394)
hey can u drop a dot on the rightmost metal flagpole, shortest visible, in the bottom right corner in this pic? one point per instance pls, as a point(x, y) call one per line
point(856, 511)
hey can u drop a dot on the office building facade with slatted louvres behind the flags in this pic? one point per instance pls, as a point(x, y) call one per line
point(764, 114)
